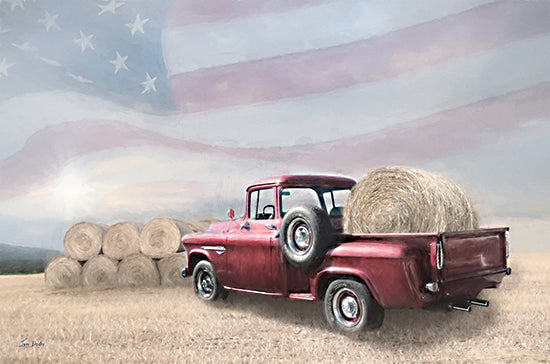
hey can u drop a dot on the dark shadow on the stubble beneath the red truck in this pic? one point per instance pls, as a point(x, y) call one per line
point(401, 327)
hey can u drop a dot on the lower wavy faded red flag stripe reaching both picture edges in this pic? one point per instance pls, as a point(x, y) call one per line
point(430, 138)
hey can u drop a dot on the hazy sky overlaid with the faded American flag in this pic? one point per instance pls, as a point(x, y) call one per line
point(128, 110)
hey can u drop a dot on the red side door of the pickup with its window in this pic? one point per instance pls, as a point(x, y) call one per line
point(249, 246)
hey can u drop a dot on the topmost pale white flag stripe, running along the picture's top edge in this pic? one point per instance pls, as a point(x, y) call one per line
point(198, 46)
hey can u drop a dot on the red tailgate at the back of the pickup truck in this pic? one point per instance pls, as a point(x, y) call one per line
point(473, 254)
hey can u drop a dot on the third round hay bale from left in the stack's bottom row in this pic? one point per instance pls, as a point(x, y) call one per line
point(137, 270)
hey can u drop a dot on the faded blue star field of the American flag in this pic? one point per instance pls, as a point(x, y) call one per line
point(101, 48)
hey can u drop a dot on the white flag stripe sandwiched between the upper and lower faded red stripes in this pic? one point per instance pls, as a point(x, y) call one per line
point(371, 107)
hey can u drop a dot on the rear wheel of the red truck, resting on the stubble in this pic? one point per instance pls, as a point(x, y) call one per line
point(350, 307)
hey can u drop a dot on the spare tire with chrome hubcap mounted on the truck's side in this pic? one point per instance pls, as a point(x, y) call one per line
point(306, 234)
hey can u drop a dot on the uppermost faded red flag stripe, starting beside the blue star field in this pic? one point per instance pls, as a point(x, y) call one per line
point(365, 61)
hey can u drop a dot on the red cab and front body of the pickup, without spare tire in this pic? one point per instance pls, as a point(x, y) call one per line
point(246, 252)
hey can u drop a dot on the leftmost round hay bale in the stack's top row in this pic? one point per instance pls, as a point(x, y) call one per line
point(83, 240)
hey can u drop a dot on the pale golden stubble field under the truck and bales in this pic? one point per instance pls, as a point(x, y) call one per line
point(172, 325)
